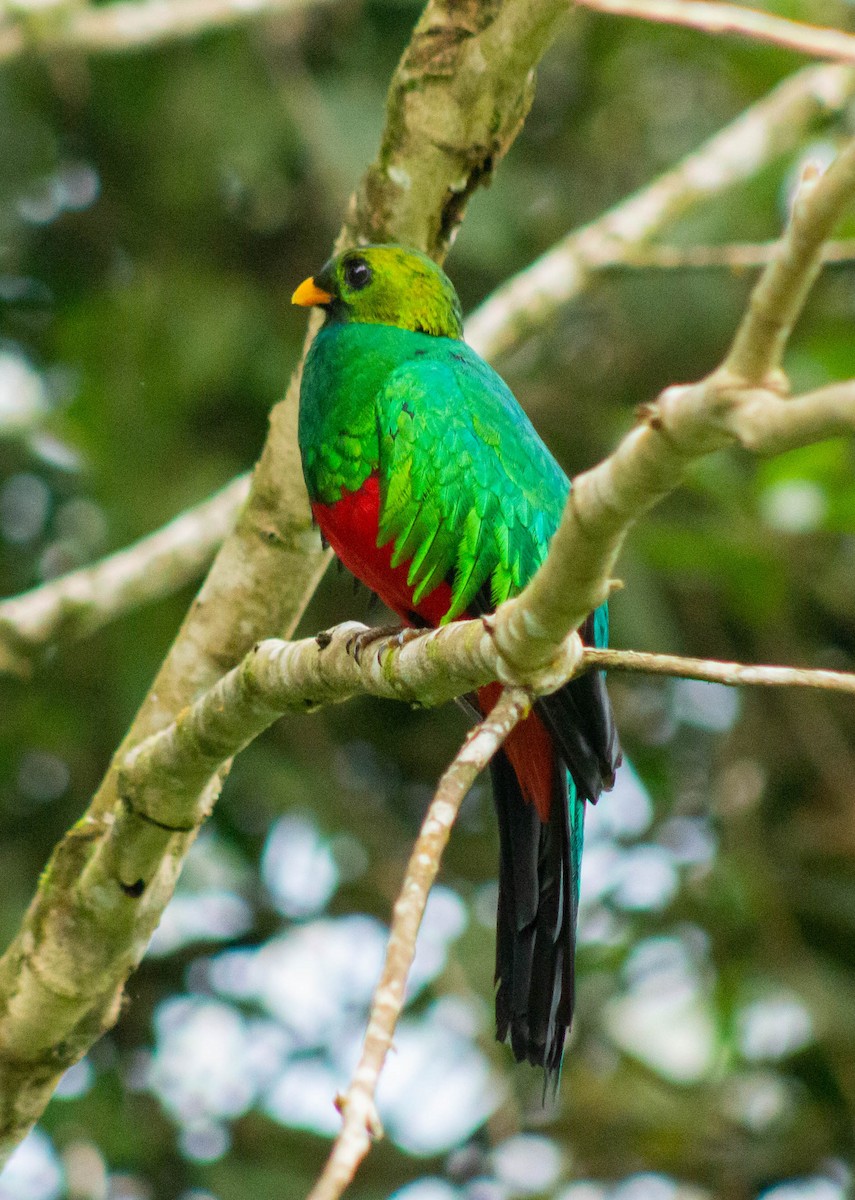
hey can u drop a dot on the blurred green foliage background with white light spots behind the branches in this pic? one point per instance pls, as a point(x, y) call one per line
point(157, 211)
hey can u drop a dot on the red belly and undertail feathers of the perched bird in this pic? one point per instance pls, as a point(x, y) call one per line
point(351, 526)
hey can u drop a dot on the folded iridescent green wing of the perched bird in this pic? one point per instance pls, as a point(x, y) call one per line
point(469, 491)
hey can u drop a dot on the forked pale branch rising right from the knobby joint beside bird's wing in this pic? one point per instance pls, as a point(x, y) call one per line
point(686, 423)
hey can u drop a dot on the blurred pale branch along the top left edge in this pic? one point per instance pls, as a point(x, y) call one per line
point(131, 25)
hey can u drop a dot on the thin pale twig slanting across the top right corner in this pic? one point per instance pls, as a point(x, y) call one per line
point(728, 19)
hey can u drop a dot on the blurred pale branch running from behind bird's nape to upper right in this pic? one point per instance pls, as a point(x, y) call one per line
point(766, 131)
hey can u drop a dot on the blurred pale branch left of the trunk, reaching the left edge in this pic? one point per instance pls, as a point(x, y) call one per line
point(156, 567)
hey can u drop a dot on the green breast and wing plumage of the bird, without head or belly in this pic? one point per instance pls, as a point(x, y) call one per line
point(469, 491)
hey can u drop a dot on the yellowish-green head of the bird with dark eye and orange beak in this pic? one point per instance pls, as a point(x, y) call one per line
point(386, 286)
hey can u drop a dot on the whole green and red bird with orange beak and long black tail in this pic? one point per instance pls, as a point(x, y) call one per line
point(431, 484)
